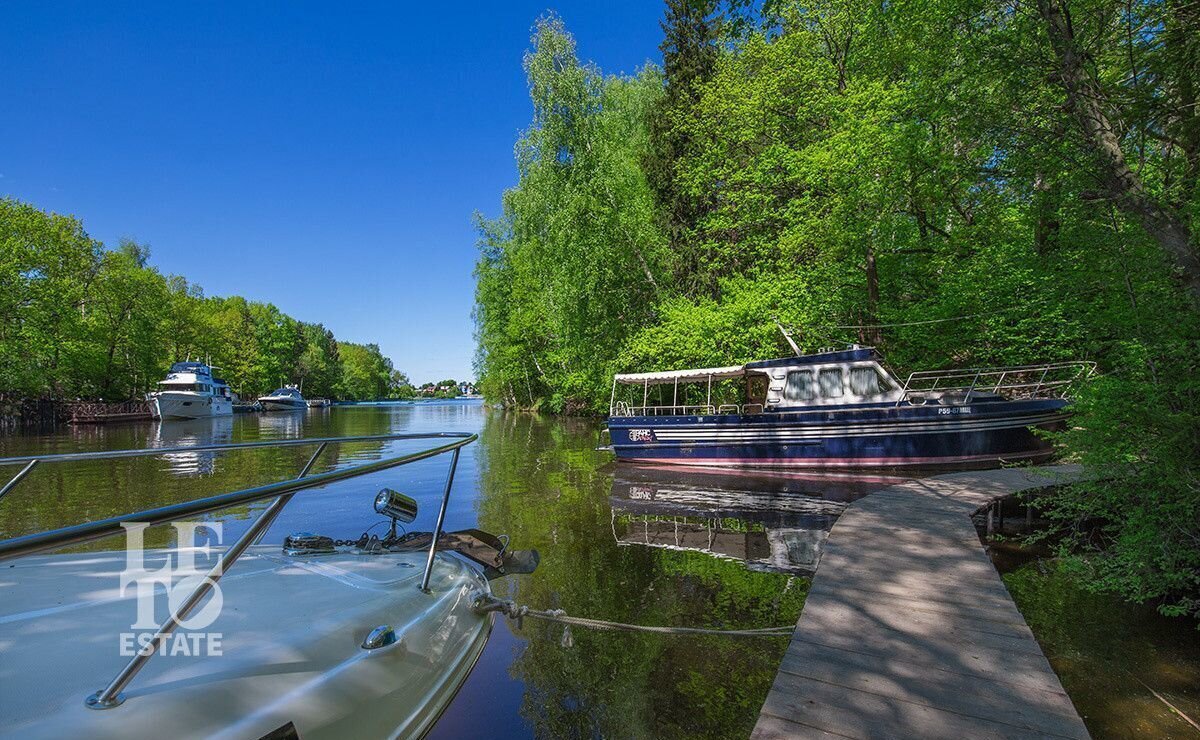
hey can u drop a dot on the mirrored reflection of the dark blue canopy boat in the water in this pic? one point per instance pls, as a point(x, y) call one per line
point(771, 522)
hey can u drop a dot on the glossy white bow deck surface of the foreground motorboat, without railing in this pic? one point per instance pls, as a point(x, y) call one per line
point(290, 649)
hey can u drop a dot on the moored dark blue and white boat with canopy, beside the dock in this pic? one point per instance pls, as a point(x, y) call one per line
point(841, 410)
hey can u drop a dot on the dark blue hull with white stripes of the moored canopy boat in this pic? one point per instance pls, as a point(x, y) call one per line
point(869, 436)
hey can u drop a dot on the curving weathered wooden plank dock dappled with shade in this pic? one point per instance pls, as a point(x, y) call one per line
point(909, 631)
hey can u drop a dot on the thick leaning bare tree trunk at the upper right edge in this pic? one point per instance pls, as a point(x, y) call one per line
point(1087, 103)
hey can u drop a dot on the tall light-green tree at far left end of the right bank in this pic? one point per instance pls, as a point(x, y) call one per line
point(578, 255)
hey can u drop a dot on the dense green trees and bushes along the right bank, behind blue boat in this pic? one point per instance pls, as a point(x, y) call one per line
point(961, 185)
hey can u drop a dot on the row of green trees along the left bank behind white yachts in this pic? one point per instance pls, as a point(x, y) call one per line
point(80, 321)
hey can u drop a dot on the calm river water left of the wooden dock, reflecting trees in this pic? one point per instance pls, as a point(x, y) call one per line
point(616, 543)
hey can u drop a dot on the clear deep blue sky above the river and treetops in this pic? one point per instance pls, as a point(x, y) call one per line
point(323, 160)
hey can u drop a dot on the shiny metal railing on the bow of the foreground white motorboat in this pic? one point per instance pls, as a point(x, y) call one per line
point(280, 492)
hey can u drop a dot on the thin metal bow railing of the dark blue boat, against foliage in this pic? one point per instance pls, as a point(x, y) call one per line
point(1048, 381)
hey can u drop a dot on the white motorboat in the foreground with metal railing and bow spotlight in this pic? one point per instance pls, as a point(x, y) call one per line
point(317, 639)
